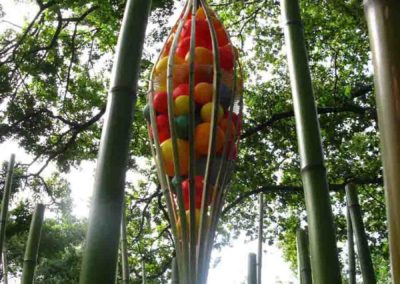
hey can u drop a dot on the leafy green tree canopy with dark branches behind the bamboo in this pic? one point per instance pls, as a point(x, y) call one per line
point(54, 75)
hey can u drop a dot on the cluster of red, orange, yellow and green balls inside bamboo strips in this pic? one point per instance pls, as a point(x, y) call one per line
point(178, 114)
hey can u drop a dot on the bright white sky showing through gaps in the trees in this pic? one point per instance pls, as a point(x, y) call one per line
point(232, 267)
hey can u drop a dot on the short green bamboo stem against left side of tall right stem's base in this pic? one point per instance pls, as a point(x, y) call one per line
point(303, 257)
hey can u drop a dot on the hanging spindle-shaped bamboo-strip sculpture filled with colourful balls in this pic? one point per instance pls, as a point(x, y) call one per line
point(194, 115)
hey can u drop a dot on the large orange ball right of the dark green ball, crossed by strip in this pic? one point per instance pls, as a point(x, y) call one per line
point(202, 138)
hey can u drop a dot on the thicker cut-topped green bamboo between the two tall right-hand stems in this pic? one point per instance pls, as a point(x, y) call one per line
point(367, 268)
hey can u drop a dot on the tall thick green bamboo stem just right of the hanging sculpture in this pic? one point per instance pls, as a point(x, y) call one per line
point(324, 258)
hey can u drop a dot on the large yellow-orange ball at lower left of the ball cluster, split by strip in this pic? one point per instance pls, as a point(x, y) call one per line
point(168, 156)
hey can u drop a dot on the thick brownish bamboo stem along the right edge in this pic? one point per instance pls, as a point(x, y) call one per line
point(384, 31)
